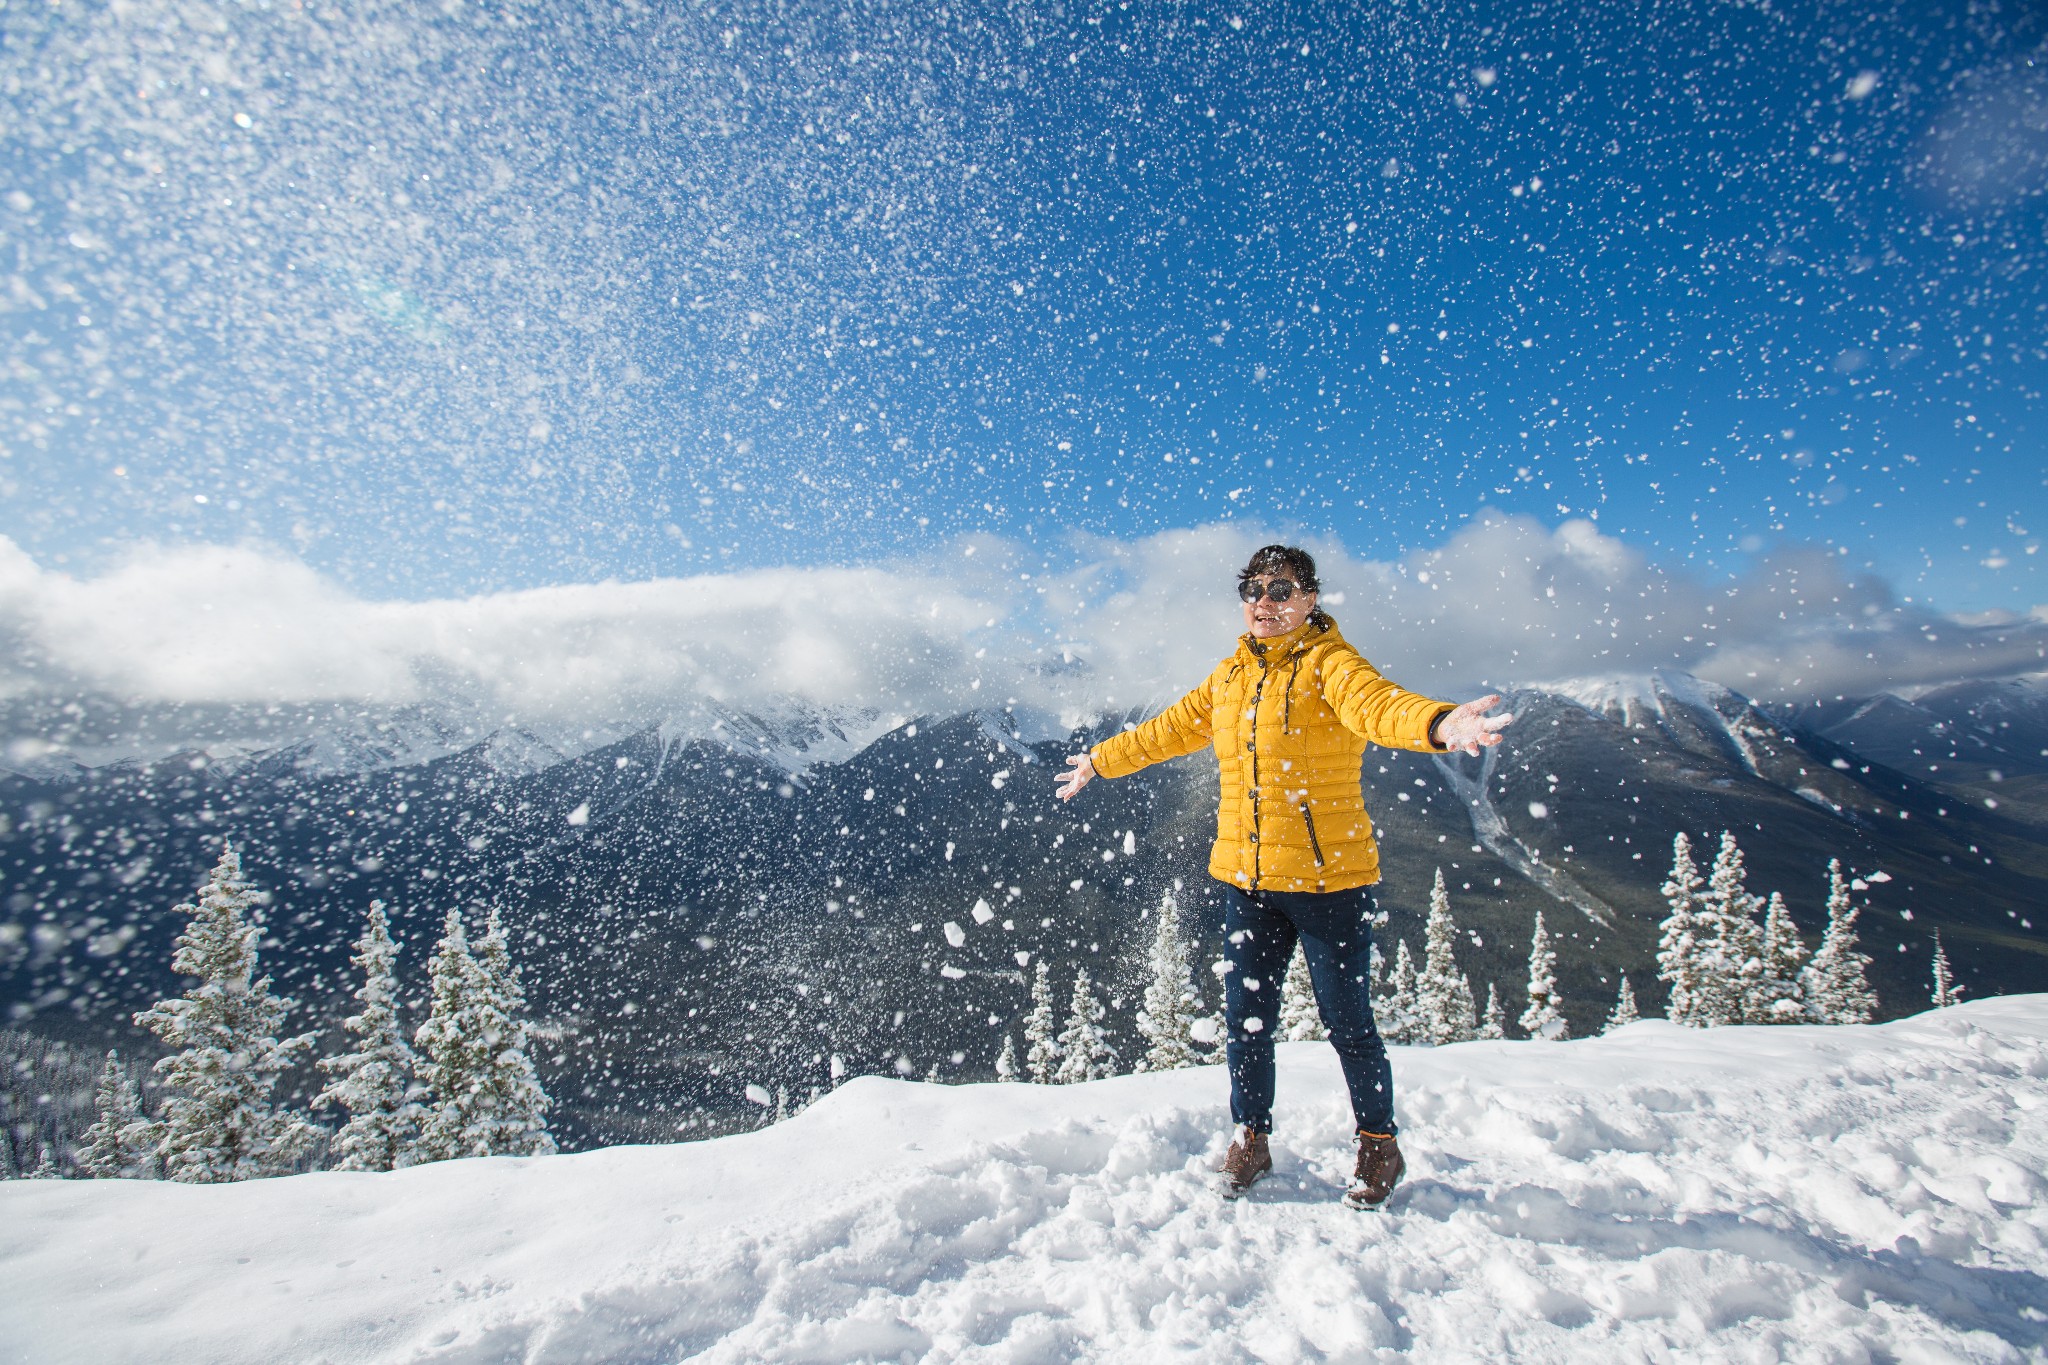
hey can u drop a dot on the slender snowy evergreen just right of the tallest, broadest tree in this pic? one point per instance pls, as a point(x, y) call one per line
point(374, 1082)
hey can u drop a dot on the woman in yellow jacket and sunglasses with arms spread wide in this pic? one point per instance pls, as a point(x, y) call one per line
point(1289, 717)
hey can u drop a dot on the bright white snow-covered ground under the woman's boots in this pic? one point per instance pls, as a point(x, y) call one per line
point(1803, 1194)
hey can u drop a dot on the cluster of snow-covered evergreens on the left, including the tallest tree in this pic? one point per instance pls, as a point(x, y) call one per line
point(462, 1086)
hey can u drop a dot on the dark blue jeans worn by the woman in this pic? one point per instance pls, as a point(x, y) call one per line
point(1336, 936)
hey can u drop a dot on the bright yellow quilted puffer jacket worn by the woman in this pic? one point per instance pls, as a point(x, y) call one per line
point(1289, 719)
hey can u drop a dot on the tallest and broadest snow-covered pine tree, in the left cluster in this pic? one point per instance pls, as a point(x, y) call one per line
point(218, 1120)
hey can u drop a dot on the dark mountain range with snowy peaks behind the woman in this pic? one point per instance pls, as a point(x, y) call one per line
point(724, 899)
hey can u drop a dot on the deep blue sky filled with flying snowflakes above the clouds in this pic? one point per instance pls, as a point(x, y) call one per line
point(556, 294)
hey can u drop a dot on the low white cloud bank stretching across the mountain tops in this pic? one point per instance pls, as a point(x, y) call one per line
point(1097, 625)
